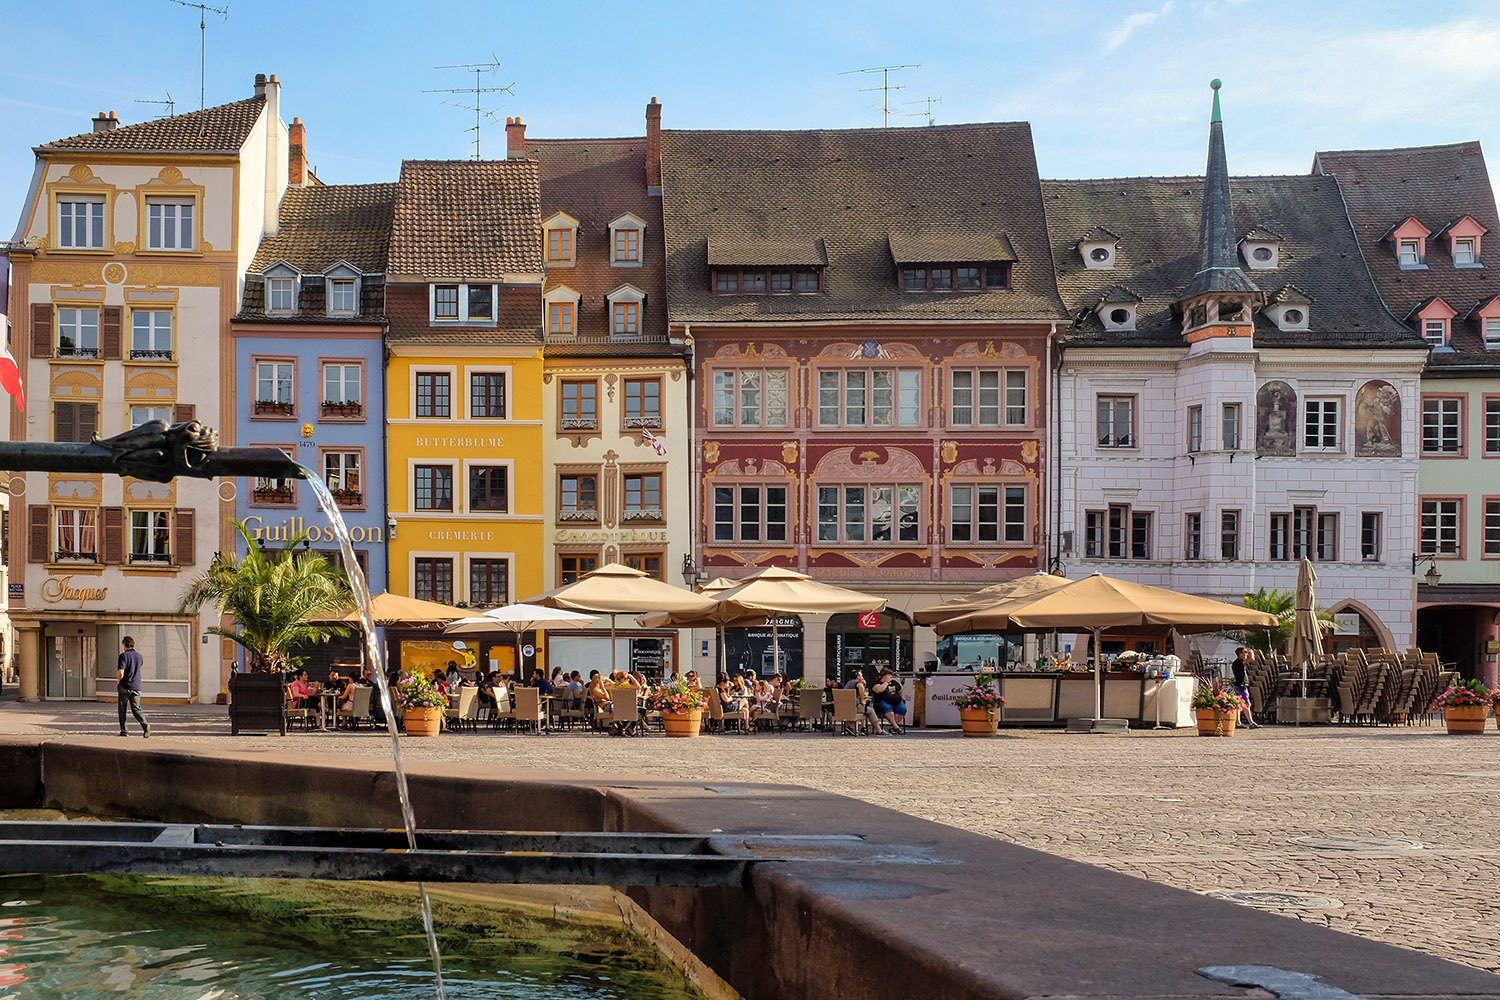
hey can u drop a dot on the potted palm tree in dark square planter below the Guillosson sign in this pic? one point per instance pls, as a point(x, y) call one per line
point(277, 600)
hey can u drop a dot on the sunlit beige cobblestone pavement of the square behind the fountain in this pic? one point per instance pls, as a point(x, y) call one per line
point(1205, 815)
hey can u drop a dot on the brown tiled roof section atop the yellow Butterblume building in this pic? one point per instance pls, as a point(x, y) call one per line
point(467, 221)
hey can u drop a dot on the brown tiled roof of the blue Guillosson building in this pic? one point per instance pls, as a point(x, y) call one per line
point(335, 223)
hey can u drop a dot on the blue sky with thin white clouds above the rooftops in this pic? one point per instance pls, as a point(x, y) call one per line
point(1112, 88)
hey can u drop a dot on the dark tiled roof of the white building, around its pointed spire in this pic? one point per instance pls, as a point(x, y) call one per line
point(1159, 221)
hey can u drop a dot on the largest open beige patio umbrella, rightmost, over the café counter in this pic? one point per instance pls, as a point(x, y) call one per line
point(1099, 603)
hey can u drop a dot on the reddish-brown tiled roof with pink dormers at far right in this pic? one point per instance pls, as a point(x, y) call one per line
point(1435, 185)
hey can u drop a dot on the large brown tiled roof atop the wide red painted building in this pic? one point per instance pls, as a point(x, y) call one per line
point(856, 190)
